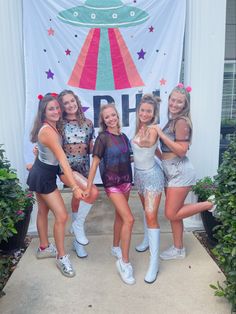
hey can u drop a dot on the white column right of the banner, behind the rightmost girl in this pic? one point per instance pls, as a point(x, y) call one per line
point(204, 68)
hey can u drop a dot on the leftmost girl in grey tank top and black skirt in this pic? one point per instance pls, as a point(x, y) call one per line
point(42, 180)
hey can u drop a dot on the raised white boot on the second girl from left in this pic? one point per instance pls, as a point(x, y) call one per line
point(78, 224)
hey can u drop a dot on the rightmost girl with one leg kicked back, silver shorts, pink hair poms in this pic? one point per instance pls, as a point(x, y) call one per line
point(179, 173)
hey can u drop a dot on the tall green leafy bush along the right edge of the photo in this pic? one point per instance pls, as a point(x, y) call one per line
point(225, 250)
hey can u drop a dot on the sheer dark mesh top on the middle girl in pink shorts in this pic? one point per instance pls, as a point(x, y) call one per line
point(114, 152)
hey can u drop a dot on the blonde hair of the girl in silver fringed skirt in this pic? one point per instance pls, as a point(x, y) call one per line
point(151, 100)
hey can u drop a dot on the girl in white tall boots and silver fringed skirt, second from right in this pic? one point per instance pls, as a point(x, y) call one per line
point(148, 178)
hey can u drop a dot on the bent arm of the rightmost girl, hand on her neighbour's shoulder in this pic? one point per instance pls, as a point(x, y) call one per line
point(181, 145)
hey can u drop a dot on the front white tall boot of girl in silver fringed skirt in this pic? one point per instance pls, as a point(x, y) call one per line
point(154, 244)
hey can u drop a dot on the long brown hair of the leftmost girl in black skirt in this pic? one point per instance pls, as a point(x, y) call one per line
point(40, 117)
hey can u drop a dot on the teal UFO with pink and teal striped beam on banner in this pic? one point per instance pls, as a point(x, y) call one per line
point(104, 62)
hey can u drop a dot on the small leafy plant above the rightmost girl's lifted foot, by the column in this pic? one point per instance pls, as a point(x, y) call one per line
point(204, 188)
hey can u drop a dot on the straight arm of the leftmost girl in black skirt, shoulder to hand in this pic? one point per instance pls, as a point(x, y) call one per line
point(49, 138)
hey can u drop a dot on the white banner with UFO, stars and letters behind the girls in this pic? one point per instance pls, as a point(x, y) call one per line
point(104, 51)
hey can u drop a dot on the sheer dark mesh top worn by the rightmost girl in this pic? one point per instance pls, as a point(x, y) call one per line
point(181, 132)
